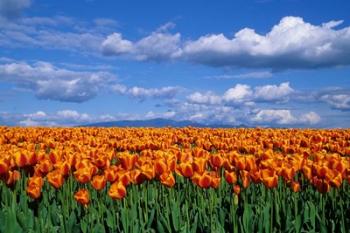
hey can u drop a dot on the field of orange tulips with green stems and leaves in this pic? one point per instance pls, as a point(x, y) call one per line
point(174, 180)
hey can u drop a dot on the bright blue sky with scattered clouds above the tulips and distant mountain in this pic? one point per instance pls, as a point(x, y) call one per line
point(278, 63)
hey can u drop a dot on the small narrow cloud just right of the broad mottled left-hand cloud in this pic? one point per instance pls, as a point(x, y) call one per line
point(143, 93)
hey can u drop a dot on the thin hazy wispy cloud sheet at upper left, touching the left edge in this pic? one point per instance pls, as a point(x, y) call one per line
point(56, 32)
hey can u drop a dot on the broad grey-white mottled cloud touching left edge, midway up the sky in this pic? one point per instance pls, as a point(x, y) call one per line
point(50, 82)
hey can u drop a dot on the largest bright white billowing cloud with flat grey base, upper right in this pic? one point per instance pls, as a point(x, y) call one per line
point(292, 43)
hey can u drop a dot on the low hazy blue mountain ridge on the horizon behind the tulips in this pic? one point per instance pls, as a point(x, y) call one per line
point(159, 122)
